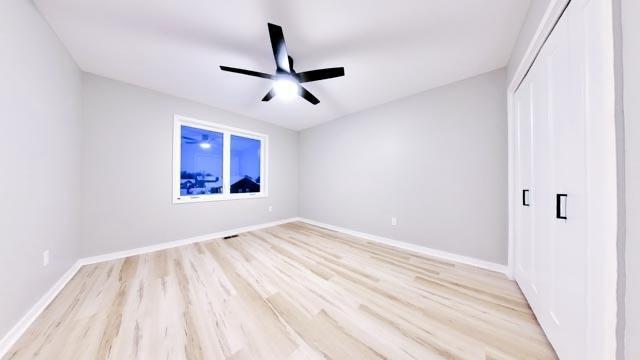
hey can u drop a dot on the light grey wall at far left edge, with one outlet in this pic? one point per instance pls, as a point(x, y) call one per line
point(40, 95)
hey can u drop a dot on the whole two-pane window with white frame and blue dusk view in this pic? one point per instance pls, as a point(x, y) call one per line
point(214, 162)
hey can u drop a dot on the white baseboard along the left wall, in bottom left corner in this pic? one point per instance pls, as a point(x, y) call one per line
point(23, 324)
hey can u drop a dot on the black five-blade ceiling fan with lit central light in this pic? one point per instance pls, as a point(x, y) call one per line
point(286, 81)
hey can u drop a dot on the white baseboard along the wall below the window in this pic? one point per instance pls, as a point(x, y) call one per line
point(172, 244)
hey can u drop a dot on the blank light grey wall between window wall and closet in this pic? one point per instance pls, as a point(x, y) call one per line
point(437, 161)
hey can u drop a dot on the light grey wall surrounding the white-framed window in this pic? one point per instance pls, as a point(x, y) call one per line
point(127, 165)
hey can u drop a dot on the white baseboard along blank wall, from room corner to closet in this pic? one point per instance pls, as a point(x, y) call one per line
point(416, 248)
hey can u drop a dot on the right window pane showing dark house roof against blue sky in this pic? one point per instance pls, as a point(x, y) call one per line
point(245, 165)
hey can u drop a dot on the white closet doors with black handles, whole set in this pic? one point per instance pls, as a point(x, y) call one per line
point(557, 106)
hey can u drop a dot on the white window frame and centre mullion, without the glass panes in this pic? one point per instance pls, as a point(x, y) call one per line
point(227, 131)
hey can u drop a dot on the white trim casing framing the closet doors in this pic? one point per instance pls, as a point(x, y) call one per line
point(603, 281)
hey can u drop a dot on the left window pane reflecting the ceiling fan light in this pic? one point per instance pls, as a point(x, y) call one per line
point(200, 161)
